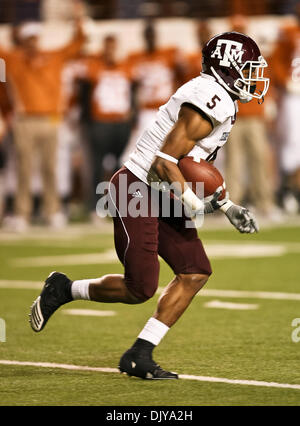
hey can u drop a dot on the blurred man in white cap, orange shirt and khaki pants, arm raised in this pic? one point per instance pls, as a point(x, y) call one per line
point(35, 76)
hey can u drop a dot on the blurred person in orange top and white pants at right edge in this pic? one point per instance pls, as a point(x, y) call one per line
point(286, 79)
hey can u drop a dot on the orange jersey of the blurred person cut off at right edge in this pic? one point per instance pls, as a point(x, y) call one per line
point(285, 62)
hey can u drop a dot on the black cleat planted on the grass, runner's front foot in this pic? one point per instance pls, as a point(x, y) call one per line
point(133, 364)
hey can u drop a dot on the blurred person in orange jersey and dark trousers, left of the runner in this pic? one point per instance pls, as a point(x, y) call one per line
point(109, 108)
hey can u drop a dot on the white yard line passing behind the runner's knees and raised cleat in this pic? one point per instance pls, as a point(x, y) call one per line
point(232, 294)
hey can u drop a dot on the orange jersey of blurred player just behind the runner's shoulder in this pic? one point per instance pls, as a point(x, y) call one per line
point(155, 74)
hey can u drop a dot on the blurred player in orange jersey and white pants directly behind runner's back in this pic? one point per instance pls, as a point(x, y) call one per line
point(157, 72)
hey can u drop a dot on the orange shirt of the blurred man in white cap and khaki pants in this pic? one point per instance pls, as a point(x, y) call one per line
point(36, 80)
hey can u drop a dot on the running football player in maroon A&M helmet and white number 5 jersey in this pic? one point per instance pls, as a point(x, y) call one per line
point(196, 121)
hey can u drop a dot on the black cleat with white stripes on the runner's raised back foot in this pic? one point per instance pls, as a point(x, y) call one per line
point(56, 292)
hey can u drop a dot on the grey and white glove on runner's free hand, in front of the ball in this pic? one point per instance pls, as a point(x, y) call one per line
point(242, 219)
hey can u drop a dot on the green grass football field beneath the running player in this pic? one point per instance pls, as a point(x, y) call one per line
point(235, 345)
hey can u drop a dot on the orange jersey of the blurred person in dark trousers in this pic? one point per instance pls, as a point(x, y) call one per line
point(111, 94)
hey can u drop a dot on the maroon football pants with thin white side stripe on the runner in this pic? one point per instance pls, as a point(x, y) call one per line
point(139, 240)
